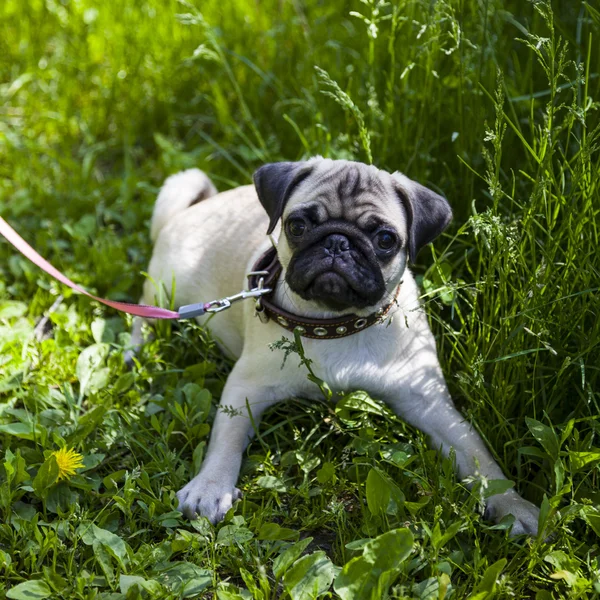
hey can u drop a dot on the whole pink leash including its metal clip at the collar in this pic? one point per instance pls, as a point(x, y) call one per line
point(139, 310)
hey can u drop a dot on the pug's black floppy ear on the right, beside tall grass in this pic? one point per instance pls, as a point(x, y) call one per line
point(428, 213)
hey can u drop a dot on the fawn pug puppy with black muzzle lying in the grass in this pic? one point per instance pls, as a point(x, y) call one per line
point(343, 232)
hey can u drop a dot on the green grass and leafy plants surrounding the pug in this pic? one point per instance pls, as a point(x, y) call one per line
point(494, 103)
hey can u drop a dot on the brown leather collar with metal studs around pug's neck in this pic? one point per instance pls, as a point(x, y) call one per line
point(268, 268)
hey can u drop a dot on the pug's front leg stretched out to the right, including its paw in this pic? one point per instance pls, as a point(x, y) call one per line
point(424, 402)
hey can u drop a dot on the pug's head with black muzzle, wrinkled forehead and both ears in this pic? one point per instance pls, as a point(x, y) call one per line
point(347, 228)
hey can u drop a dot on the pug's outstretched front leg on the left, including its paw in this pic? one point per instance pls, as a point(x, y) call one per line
point(212, 492)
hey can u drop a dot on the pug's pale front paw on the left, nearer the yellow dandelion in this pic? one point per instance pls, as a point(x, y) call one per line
point(205, 497)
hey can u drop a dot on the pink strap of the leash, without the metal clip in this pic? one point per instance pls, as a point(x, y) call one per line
point(140, 310)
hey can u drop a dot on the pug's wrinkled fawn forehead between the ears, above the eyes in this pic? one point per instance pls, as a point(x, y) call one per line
point(348, 191)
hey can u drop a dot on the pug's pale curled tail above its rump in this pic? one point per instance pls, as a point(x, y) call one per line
point(180, 191)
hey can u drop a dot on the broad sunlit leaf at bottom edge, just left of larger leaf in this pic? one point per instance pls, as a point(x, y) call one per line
point(309, 577)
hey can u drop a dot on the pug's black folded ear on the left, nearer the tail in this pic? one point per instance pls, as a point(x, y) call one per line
point(274, 184)
